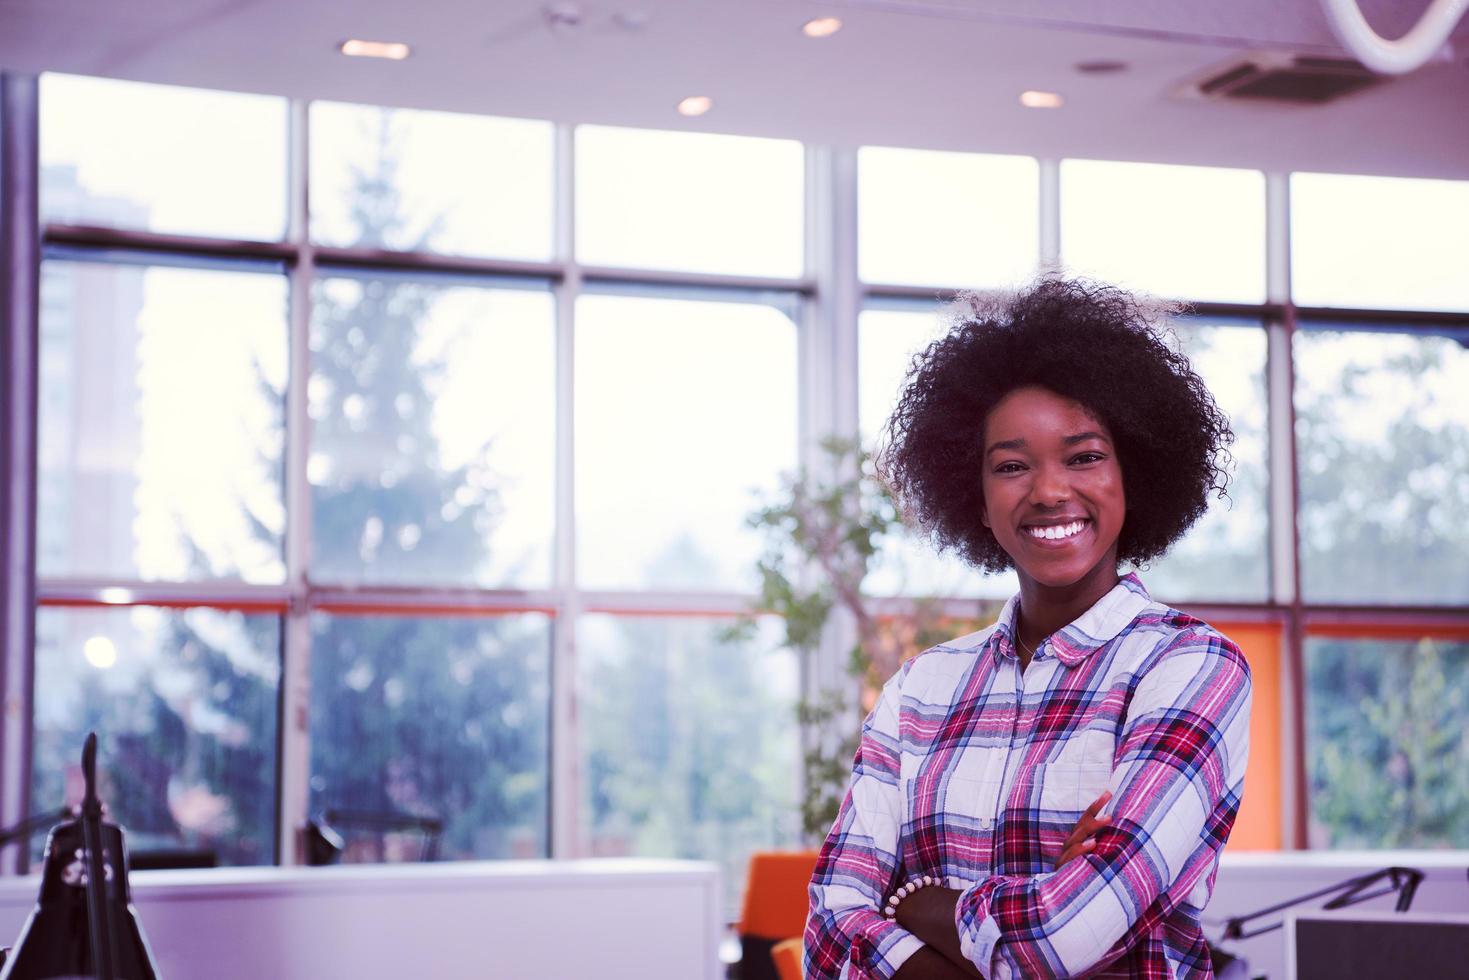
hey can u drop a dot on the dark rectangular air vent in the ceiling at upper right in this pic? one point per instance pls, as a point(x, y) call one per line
point(1296, 80)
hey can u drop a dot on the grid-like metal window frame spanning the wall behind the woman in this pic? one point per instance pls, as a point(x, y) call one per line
point(829, 298)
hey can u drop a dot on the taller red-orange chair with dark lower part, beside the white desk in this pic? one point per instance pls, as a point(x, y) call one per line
point(776, 904)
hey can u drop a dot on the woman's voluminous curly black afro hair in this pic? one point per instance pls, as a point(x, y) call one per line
point(1086, 342)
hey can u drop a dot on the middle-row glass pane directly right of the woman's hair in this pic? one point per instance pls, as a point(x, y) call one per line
point(1226, 556)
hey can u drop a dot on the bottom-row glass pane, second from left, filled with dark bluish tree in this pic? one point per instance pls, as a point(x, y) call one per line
point(433, 718)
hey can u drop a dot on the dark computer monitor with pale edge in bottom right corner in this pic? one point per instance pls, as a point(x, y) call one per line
point(1377, 945)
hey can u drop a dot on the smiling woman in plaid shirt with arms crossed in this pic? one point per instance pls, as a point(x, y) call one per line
point(1047, 797)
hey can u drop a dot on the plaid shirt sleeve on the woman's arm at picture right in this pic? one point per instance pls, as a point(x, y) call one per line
point(1176, 791)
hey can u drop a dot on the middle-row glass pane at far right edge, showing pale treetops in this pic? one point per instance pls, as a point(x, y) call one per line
point(1383, 443)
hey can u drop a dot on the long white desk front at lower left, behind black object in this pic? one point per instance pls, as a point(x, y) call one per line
point(509, 920)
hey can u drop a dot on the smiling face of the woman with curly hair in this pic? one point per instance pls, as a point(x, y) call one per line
point(1053, 489)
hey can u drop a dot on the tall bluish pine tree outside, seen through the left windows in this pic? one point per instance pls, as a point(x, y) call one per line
point(425, 716)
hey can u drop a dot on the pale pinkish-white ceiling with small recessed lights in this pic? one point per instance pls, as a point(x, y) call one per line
point(942, 74)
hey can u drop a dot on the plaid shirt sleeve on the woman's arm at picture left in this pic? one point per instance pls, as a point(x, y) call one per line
point(847, 932)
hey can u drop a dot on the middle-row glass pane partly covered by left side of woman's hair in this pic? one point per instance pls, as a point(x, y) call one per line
point(888, 342)
